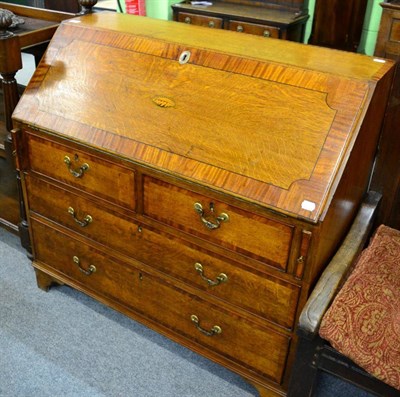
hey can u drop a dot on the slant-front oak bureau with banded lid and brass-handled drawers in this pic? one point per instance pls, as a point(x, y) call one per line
point(198, 181)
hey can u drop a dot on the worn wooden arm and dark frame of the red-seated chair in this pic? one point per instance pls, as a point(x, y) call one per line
point(315, 355)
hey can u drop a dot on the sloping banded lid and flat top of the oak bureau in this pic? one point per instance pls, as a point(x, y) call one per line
point(275, 134)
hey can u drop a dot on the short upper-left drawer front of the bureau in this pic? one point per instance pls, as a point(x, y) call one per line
point(95, 175)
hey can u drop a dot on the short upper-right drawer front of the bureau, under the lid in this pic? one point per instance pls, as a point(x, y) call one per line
point(240, 231)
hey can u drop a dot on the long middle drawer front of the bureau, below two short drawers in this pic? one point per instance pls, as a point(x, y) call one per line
point(263, 295)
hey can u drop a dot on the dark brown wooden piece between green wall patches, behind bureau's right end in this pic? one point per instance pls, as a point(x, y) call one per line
point(338, 23)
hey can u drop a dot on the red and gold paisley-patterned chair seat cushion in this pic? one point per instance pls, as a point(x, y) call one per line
point(363, 322)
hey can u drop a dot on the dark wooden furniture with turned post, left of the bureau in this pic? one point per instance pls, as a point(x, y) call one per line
point(31, 37)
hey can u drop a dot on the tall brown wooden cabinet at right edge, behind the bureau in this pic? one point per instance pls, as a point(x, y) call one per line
point(386, 177)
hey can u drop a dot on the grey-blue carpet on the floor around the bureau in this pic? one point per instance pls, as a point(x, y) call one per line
point(65, 344)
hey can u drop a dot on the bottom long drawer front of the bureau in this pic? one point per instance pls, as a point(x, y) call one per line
point(250, 345)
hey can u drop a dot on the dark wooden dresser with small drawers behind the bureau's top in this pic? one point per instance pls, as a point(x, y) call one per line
point(278, 19)
